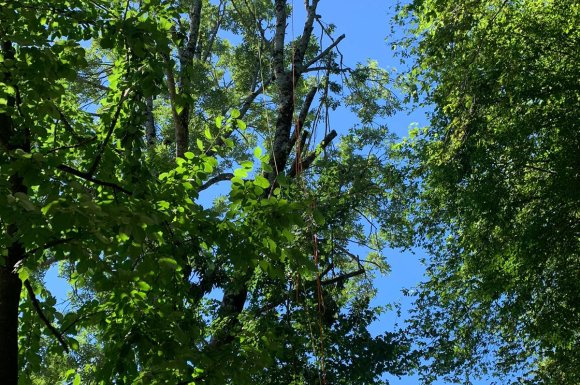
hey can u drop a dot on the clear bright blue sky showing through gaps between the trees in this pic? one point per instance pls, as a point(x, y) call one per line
point(366, 24)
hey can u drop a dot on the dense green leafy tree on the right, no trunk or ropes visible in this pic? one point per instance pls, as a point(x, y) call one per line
point(498, 187)
